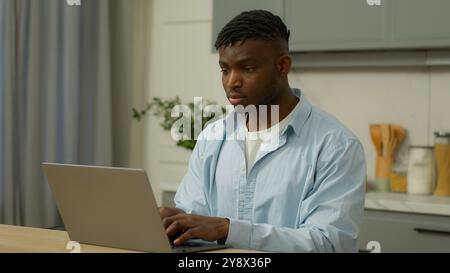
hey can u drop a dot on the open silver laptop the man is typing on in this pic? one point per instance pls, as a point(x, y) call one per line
point(112, 207)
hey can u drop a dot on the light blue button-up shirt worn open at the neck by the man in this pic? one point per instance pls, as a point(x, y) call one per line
point(303, 194)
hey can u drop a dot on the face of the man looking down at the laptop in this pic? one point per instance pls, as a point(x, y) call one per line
point(249, 72)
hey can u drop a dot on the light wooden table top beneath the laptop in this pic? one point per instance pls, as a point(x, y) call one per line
point(17, 239)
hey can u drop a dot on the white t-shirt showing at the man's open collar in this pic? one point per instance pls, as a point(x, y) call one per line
point(256, 142)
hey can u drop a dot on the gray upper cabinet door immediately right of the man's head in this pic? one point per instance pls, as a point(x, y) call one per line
point(328, 25)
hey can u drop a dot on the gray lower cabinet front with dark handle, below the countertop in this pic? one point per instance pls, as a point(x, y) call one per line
point(405, 232)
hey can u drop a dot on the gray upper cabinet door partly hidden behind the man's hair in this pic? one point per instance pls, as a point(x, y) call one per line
point(225, 10)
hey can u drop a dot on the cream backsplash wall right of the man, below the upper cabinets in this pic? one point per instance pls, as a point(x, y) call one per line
point(416, 98)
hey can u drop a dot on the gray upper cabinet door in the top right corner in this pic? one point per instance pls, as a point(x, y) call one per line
point(420, 24)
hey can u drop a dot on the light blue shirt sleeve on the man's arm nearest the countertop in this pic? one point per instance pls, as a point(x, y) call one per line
point(330, 214)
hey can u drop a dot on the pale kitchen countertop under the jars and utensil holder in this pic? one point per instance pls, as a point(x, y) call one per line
point(409, 203)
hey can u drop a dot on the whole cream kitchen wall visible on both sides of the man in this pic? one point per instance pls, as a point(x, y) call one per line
point(181, 63)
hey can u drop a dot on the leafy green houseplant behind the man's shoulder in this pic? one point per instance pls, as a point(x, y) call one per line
point(162, 109)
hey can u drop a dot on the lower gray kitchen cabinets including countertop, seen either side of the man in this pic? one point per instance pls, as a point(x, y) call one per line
point(394, 230)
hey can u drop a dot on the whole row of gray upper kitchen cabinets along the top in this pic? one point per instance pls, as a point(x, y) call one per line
point(351, 25)
